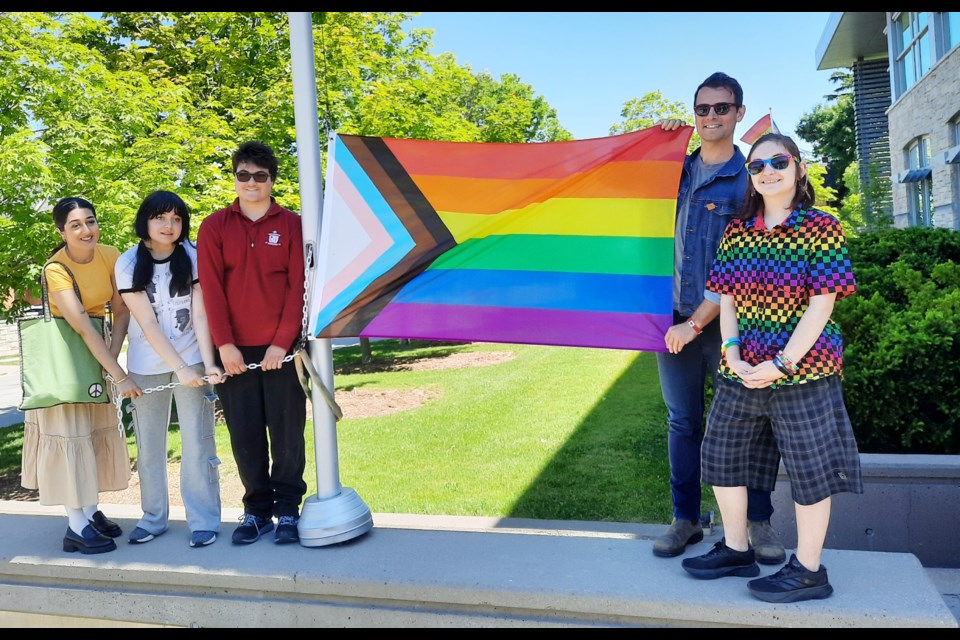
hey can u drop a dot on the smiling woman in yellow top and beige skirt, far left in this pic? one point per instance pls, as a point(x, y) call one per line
point(72, 452)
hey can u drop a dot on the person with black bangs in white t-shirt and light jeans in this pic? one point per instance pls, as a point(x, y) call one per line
point(169, 341)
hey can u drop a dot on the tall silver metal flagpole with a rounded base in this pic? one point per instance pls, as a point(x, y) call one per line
point(335, 513)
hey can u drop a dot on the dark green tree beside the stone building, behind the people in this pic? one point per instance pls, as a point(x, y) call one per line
point(830, 129)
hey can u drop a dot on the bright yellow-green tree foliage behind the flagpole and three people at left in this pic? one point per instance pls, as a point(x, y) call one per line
point(112, 108)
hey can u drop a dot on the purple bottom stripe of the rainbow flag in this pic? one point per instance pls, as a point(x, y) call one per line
point(636, 331)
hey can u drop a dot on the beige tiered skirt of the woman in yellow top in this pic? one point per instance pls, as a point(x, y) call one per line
point(72, 452)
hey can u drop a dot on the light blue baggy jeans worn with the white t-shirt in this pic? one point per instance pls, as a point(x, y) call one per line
point(199, 464)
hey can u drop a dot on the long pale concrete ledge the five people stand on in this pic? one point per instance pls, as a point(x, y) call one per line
point(400, 575)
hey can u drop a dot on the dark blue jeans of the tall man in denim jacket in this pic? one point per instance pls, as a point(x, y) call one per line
point(683, 377)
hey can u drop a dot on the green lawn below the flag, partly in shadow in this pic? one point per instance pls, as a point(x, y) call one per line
point(554, 433)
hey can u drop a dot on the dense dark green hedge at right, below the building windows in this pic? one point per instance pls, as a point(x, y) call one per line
point(902, 383)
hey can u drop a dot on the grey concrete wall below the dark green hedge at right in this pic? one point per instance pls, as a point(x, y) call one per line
point(908, 505)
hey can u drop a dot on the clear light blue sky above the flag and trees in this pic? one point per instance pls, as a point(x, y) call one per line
point(587, 65)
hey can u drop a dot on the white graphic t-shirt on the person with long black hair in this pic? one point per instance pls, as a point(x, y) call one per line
point(173, 313)
